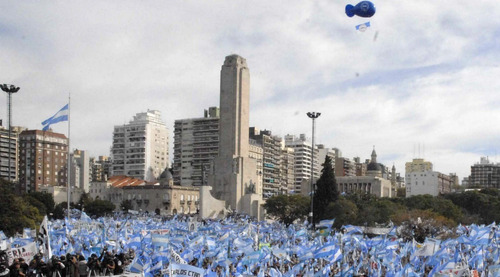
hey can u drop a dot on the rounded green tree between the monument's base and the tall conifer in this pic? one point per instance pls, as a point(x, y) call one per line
point(287, 208)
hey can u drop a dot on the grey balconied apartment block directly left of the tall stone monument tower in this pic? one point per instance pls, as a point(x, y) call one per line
point(196, 144)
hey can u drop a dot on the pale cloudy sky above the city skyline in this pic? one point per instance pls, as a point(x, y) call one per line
point(421, 82)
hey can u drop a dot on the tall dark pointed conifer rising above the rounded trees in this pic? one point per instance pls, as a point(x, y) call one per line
point(326, 190)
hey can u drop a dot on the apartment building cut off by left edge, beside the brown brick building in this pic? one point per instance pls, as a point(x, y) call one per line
point(9, 151)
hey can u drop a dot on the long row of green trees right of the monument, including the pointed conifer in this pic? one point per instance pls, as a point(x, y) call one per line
point(478, 206)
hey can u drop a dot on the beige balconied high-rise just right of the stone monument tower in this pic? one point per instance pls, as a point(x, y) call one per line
point(271, 170)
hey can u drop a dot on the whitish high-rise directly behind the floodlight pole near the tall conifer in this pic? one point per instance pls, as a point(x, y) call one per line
point(303, 160)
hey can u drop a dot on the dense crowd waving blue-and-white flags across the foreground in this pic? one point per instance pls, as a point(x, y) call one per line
point(241, 246)
